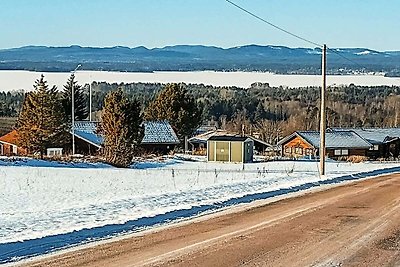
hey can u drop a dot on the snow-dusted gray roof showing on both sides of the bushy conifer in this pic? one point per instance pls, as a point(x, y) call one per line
point(155, 132)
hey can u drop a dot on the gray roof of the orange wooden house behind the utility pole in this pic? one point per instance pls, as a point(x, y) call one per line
point(334, 139)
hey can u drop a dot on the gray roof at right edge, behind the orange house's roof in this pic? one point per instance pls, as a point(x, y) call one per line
point(375, 136)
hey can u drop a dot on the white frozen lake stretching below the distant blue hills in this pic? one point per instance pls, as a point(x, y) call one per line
point(17, 80)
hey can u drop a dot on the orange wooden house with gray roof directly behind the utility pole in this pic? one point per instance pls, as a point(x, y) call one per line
point(338, 144)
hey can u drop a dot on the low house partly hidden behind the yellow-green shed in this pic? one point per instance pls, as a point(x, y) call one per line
point(199, 142)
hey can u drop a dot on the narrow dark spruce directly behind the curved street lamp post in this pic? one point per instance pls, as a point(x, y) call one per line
point(80, 109)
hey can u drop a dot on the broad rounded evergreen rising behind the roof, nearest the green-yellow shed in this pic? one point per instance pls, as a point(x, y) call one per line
point(175, 105)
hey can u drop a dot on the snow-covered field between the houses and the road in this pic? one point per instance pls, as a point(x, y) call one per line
point(59, 198)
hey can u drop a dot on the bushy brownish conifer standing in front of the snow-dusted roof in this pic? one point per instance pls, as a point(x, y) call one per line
point(121, 122)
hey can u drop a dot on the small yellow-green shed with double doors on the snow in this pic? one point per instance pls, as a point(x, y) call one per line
point(230, 149)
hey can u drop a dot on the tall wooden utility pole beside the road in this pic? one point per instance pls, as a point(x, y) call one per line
point(322, 127)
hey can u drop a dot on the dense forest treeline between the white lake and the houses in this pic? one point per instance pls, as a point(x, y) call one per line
point(272, 112)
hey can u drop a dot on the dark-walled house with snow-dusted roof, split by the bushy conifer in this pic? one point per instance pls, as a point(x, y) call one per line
point(158, 137)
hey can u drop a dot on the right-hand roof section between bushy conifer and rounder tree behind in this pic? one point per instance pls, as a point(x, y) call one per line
point(159, 132)
